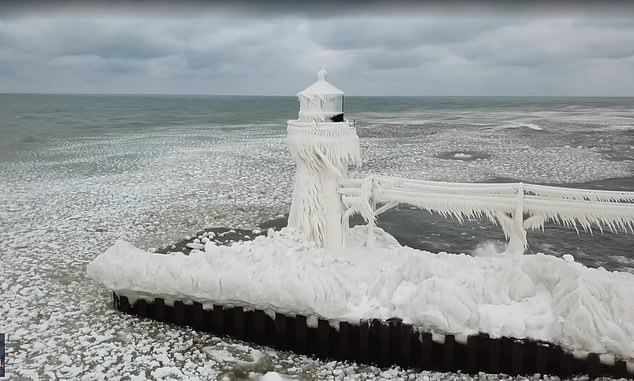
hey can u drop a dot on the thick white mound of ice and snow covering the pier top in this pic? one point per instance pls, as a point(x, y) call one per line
point(536, 296)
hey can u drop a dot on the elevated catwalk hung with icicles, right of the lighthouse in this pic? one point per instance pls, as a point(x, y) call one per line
point(516, 207)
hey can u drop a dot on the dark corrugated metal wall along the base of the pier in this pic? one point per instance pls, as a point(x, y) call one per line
point(381, 343)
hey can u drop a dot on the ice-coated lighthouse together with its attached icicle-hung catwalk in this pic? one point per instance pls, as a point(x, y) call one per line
point(323, 144)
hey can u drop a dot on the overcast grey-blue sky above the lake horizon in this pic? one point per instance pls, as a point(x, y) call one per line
point(368, 49)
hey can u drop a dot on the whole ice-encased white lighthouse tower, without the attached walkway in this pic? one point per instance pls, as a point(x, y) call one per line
point(322, 144)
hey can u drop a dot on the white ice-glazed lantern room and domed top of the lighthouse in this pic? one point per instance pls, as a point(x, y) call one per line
point(321, 101)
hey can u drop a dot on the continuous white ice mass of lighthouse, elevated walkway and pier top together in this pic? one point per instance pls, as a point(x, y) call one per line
point(305, 270)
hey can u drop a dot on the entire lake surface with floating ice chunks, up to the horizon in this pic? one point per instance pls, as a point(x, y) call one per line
point(79, 172)
